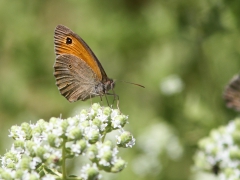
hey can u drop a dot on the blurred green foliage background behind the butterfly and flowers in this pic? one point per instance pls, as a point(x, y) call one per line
point(184, 52)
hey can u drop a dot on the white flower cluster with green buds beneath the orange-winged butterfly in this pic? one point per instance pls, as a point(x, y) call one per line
point(40, 150)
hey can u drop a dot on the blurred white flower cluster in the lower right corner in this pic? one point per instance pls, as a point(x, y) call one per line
point(220, 152)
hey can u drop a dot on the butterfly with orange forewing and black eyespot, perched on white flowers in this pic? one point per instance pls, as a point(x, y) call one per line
point(79, 74)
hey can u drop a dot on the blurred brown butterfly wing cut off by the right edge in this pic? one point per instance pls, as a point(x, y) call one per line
point(232, 93)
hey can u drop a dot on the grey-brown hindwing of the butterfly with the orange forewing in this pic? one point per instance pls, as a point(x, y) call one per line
point(71, 83)
